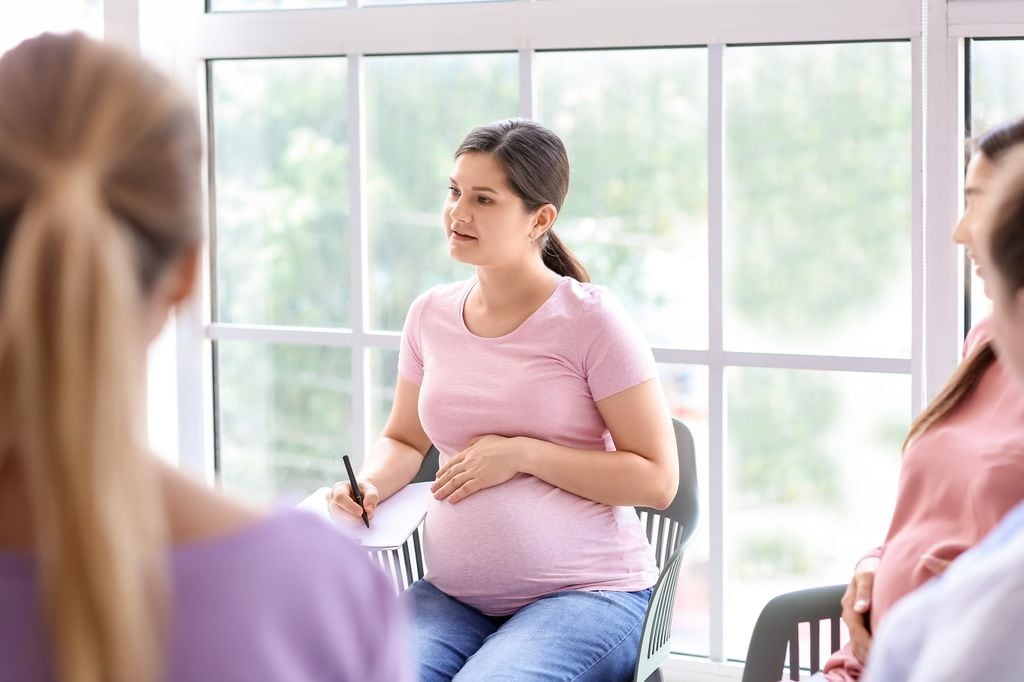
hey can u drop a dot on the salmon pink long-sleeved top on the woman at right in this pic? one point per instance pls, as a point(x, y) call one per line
point(958, 481)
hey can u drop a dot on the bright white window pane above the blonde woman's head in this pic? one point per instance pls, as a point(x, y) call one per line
point(27, 19)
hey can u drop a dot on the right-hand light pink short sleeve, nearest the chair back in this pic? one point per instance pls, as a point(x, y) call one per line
point(613, 353)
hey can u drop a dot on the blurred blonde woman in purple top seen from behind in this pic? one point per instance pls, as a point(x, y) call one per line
point(113, 567)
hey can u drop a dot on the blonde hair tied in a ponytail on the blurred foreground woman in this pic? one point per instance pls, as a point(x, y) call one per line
point(100, 195)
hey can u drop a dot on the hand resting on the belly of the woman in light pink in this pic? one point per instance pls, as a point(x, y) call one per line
point(489, 461)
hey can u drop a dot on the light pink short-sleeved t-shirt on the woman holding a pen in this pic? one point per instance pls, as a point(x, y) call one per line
point(506, 546)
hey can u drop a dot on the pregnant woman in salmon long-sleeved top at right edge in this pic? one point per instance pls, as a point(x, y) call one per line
point(963, 462)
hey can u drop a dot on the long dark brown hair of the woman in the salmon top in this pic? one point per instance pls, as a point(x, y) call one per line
point(994, 145)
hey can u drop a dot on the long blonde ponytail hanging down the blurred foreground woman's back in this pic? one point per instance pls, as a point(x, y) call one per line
point(71, 362)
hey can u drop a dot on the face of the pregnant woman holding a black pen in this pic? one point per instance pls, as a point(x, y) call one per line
point(486, 224)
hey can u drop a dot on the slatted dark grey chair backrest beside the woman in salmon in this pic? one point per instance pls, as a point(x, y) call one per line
point(778, 631)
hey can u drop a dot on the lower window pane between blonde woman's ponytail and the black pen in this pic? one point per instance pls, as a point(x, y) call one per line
point(285, 419)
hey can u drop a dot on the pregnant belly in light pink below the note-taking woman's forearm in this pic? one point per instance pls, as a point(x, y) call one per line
point(505, 546)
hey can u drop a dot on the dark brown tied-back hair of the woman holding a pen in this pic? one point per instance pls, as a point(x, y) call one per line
point(538, 169)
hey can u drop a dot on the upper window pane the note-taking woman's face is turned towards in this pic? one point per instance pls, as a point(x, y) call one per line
point(419, 109)
